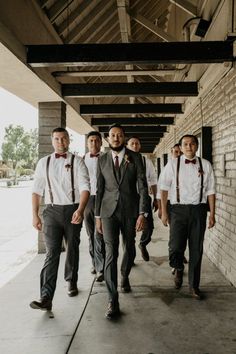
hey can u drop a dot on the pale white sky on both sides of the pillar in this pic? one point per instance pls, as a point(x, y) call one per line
point(14, 110)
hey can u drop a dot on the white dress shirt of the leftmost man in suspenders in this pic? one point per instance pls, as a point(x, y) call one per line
point(60, 179)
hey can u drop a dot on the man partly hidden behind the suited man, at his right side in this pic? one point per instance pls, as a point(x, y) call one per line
point(134, 144)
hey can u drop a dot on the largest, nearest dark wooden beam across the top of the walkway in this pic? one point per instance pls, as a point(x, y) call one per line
point(130, 53)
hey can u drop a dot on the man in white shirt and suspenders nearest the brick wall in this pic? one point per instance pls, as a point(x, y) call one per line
point(189, 180)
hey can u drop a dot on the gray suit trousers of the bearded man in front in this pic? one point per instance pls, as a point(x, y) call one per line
point(112, 227)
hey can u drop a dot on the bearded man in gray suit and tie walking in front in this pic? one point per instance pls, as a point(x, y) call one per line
point(120, 208)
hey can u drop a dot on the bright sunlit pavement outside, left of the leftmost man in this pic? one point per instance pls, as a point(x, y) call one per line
point(18, 239)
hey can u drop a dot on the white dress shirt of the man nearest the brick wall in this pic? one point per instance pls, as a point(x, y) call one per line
point(189, 181)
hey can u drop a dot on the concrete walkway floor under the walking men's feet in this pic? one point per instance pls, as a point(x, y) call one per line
point(156, 318)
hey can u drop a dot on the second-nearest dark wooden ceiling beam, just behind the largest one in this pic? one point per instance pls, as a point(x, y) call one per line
point(131, 89)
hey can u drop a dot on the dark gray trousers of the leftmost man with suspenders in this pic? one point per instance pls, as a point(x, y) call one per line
point(57, 224)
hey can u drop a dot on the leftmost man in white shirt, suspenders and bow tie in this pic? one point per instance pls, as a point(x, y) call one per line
point(63, 178)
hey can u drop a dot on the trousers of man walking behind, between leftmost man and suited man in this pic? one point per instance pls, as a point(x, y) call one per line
point(96, 242)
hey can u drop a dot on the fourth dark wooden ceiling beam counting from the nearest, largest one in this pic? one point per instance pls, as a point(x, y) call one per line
point(133, 121)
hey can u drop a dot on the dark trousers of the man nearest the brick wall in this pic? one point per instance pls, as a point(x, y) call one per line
point(187, 223)
